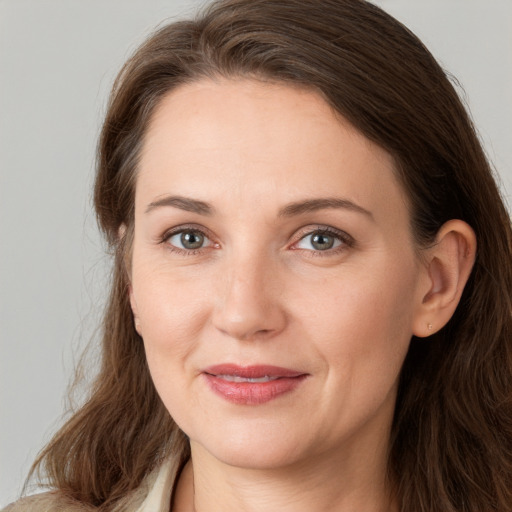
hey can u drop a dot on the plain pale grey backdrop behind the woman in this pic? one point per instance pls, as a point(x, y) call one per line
point(57, 62)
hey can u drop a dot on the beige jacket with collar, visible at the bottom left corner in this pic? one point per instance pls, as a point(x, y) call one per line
point(153, 495)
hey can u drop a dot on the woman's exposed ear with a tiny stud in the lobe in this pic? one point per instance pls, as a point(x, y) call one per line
point(448, 266)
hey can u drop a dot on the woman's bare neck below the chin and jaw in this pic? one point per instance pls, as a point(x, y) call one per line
point(327, 484)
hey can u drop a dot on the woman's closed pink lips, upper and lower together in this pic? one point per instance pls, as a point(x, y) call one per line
point(251, 385)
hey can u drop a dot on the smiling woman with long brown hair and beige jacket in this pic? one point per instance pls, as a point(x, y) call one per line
point(311, 298)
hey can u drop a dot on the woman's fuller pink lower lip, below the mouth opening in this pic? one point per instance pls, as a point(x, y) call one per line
point(252, 393)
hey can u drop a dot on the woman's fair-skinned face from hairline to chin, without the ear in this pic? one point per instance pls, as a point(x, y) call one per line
point(274, 277)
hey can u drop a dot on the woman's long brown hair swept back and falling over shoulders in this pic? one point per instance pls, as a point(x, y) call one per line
point(451, 446)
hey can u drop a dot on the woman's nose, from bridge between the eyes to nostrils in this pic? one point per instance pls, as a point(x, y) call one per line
point(250, 301)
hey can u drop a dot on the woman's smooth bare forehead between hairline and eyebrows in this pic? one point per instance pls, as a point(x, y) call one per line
point(254, 140)
